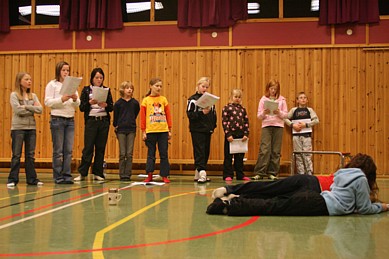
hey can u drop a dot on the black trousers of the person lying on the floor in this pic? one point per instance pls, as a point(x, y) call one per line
point(297, 195)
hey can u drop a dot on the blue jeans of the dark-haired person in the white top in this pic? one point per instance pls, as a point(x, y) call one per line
point(62, 133)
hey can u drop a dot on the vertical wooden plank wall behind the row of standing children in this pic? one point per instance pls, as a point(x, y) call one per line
point(347, 87)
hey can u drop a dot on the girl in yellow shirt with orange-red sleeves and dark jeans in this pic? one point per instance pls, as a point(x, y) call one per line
point(156, 124)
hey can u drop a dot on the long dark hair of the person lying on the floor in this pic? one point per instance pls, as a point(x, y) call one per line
point(367, 165)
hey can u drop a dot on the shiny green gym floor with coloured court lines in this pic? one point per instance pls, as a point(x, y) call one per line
point(169, 221)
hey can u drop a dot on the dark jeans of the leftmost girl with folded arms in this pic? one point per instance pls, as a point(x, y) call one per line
point(28, 137)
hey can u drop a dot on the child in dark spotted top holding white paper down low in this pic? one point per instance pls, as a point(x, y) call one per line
point(236, 126)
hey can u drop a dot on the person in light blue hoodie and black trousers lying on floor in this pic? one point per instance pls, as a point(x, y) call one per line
point(352, 189)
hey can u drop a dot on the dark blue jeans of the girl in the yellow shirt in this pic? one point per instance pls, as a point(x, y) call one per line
point(151, 143)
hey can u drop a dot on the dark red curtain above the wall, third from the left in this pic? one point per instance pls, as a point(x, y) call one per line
point(210, 13)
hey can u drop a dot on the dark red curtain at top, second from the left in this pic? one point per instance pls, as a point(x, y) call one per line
point(90, 14)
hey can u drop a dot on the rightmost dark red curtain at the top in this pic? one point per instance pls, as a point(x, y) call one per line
point(348, 11)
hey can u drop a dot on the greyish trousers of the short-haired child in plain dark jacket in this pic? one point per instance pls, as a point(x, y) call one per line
point(126, 148)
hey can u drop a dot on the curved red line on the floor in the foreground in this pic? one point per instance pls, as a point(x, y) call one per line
point(242, 225)
